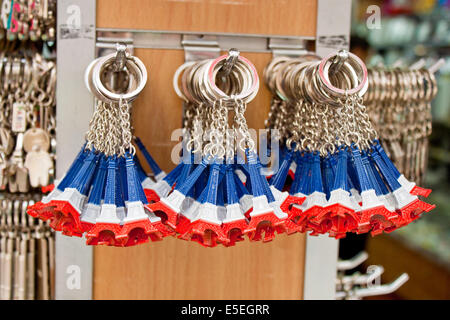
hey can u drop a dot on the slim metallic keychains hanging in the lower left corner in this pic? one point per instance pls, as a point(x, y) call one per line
point(27, 252)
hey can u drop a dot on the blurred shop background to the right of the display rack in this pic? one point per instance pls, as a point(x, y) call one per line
point(411, 30)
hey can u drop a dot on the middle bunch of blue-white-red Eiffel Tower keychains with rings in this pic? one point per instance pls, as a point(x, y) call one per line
point(217, 194)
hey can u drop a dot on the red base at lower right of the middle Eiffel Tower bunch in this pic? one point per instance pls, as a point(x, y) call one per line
point(267, 223)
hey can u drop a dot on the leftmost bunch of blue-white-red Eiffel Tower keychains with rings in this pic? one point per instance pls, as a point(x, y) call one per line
point(102, 196)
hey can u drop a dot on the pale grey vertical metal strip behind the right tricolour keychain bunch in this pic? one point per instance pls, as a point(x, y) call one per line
point(333, 33)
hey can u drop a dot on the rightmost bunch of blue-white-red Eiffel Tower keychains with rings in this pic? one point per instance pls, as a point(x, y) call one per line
point(331, 154)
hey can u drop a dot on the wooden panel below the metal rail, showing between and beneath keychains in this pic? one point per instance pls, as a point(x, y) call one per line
point(176, 269)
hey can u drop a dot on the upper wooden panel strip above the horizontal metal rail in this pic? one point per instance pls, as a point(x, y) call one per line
point(277, 17)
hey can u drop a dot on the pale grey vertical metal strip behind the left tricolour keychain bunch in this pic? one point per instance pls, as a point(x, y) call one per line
point(76, 49)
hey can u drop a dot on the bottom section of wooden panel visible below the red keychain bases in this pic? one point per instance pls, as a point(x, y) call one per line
point(177, 269)
